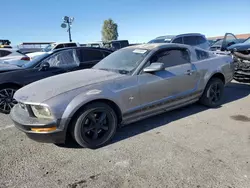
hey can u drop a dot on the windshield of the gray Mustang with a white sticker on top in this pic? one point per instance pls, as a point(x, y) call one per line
point(123, 61)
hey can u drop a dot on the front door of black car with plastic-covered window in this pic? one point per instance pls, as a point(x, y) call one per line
point(59, 62)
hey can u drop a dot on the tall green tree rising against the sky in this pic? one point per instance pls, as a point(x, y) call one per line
point(109, 30)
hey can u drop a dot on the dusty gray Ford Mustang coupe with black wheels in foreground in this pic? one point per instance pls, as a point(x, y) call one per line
point(130, 84)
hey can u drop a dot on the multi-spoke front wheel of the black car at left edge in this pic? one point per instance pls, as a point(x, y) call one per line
point(6, 99)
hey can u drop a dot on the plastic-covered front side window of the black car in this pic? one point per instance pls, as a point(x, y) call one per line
point(65, 58)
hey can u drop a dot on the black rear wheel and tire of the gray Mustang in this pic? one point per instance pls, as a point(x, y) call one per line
point(213, 94)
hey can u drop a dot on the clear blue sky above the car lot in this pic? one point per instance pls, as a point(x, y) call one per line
point(138, 20)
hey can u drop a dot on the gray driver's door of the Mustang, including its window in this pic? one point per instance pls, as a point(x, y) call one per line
point(178, 79)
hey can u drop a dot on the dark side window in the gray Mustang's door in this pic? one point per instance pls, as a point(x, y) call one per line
point(172, 57)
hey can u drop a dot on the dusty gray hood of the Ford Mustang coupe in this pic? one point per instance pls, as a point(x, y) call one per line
point(42, 90)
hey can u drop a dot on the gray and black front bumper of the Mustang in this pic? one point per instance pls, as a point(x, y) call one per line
point(25, 123)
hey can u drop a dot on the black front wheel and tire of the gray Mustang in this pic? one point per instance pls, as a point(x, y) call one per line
point(94, 125)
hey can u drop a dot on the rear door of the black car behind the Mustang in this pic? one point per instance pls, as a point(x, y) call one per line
point(89, 57)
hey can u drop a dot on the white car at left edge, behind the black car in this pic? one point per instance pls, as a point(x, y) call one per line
point(13, 56)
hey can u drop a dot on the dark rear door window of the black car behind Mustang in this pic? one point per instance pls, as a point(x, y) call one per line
point(89, 55)
